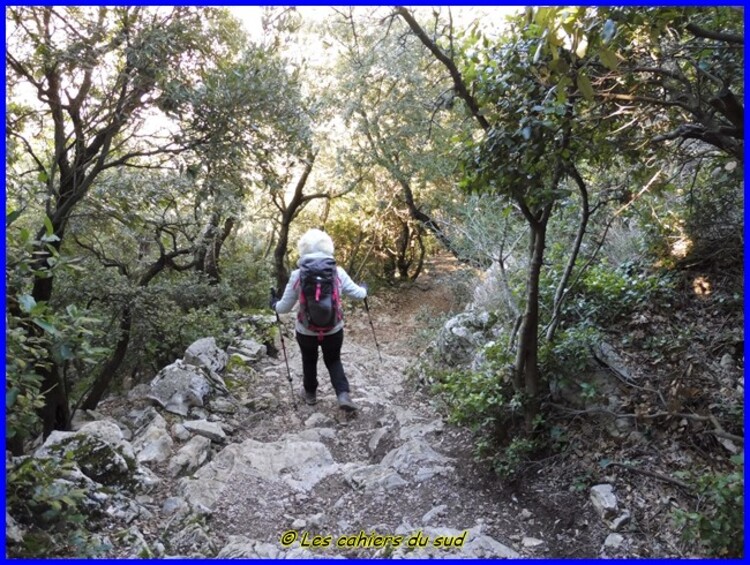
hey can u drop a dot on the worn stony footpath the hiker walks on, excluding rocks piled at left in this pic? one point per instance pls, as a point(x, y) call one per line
point(397, 467)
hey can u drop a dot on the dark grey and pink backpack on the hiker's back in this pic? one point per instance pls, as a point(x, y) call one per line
point(319, 295)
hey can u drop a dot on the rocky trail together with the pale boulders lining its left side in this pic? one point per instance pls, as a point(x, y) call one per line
point(228, 466)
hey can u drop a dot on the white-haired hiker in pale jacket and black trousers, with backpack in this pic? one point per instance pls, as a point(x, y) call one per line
point(316, 260)
